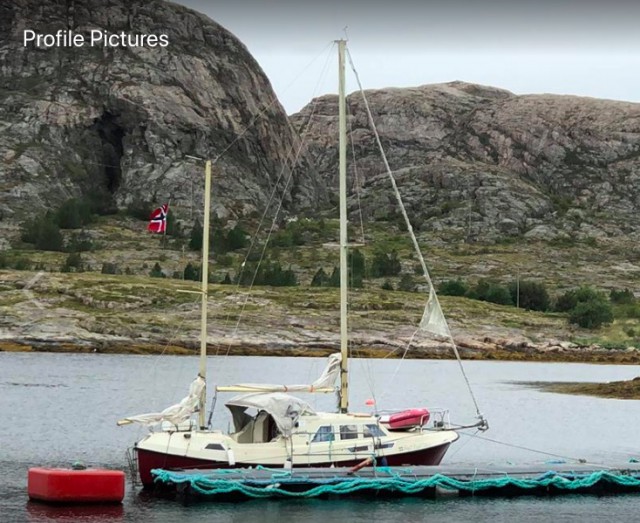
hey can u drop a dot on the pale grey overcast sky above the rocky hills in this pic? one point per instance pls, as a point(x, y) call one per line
point(580, 47)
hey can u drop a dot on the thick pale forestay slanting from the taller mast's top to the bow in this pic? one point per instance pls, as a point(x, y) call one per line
point(414, 239)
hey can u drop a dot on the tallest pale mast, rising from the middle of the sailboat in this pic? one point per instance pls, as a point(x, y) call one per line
point(342, 120)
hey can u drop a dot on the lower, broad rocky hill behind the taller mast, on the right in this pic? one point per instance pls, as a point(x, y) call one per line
point(481, 164)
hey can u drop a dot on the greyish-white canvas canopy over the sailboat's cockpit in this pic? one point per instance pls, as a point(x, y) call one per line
point(284, 409)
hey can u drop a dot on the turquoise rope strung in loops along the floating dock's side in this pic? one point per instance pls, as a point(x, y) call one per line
point(210, 485)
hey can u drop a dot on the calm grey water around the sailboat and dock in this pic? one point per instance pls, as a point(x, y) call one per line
point(56, 409)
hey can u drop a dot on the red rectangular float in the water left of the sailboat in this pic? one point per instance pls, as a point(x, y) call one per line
point(76, 486)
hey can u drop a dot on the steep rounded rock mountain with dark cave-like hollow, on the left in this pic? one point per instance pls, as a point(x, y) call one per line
point(116, 122)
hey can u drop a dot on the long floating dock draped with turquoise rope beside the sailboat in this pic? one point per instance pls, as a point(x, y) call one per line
point(422, 481)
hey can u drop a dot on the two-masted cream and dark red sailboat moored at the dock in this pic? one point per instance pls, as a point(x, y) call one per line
point(285, 431)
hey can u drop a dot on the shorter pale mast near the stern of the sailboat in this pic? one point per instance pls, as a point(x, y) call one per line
point(204, 293)
